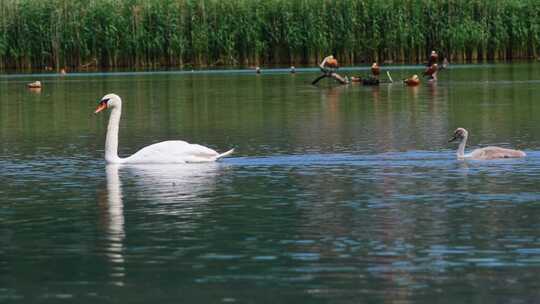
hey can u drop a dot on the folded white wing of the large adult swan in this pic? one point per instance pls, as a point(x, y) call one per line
point(173, 151)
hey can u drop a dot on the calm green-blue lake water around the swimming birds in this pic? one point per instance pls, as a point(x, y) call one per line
point(344, 194)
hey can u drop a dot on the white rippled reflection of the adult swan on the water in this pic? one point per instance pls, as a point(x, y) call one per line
point(163, 185)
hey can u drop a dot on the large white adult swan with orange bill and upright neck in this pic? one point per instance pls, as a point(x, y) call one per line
point(167, 152)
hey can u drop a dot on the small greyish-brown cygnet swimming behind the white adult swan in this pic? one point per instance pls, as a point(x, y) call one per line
point(482, 153)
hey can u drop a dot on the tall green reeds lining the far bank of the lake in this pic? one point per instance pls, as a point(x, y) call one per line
point(138, 33)
